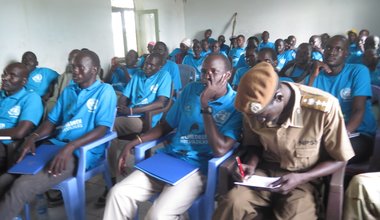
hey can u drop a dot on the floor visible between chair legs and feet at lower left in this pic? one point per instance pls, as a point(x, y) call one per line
point(94, 189)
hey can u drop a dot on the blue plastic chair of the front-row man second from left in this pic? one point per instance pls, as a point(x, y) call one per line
point(73, 188)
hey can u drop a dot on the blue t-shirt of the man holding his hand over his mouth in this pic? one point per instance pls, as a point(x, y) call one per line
point(189, 142)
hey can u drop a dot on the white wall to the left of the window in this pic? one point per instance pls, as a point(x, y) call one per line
point(52, 28)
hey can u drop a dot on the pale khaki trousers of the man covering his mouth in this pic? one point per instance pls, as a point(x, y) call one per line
point(172, 202)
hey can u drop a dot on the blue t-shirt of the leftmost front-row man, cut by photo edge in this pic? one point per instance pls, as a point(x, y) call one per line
point(21, 106)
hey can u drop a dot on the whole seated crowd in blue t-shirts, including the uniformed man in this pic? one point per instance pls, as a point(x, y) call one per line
point(299, 114)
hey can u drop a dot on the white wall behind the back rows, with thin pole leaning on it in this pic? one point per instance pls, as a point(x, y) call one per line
point(281, 18)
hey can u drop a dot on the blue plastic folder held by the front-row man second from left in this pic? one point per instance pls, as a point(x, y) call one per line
point(33, 164)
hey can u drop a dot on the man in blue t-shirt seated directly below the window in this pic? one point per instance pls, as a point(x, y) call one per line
point(120, 75)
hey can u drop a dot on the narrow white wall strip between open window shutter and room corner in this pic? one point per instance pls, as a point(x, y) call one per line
point(170, 17)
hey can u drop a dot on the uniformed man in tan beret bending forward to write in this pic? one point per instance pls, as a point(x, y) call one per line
point(280, 141)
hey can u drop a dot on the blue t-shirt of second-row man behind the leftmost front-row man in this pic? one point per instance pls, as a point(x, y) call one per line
point(40, 79)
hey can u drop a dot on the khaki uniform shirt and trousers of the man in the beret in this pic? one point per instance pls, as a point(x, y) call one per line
point(315, 127)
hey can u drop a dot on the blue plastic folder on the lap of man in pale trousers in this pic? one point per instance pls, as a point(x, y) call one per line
point(167, 168)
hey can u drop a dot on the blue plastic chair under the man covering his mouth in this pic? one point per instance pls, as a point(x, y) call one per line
point(203, 207)
